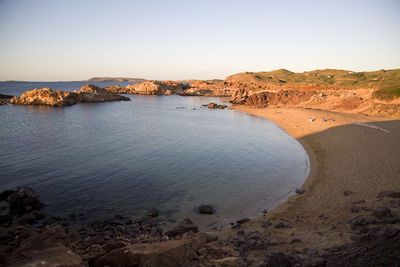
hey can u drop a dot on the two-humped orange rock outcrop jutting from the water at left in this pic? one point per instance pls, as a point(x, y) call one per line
point(58, 98)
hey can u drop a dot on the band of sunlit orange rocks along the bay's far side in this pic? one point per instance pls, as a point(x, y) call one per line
point(252, 94)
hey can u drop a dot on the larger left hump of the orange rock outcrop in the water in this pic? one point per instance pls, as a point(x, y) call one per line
point(46, 97)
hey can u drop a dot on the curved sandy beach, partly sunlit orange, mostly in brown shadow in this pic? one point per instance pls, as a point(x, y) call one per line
point(349, 163)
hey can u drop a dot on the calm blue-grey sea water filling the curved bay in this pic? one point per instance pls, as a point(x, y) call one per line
point(110, 158)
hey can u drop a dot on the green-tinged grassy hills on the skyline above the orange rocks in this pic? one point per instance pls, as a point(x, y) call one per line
point(380, 79)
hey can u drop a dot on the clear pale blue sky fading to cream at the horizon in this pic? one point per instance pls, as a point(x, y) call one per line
point(76, 39)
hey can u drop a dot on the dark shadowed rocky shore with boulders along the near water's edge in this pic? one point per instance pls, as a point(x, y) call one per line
point(140, 241)
